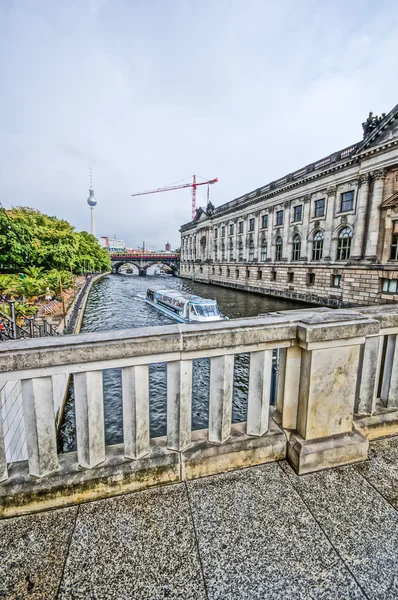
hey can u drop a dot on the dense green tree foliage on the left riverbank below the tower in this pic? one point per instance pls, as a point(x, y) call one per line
point(29, 238)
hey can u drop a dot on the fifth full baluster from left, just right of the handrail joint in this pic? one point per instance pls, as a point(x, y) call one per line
point(220, 406)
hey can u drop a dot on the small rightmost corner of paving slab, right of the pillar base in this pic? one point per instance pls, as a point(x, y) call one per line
point(382, 470)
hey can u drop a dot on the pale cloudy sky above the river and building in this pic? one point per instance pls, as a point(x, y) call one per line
point(150, 92)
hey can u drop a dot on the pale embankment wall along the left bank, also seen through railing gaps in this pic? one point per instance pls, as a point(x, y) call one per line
point(11, 409)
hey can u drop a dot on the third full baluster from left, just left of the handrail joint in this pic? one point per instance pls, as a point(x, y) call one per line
point(135, 392)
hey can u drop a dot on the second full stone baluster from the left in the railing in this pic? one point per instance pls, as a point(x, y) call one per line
point(89, 407)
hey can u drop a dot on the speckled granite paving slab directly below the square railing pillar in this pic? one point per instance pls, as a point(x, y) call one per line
point(359, 522)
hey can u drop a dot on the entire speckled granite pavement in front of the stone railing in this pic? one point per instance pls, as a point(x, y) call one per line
point(261, 532)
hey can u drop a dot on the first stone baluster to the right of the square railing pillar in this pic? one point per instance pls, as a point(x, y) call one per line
point(368, 376)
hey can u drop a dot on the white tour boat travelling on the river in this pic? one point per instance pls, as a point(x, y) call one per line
point(184, 308)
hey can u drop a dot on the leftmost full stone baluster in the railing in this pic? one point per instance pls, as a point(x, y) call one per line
point(39, 418)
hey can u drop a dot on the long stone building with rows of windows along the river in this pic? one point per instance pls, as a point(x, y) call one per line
point(326, 233)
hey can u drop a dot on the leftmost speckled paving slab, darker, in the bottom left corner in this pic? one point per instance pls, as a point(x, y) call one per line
point(33, 551)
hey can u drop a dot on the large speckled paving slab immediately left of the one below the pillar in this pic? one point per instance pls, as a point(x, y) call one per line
point(257, 539)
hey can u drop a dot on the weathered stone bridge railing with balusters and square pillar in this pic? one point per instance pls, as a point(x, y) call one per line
point(323, 353)
